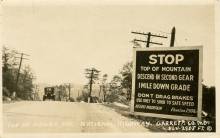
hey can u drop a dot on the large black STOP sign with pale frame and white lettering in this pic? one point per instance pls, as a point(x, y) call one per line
point(167, 82)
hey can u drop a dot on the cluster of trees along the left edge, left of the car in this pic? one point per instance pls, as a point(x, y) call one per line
point(15, 87)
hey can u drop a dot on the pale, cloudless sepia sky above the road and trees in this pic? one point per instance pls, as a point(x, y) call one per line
point(62, 40)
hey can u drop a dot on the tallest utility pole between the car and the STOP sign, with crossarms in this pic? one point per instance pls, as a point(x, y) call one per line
point(92, 76)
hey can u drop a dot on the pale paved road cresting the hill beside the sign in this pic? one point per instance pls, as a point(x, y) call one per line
point(63, 117)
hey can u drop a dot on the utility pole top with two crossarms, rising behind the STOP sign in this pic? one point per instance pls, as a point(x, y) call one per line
point(149, 35)
